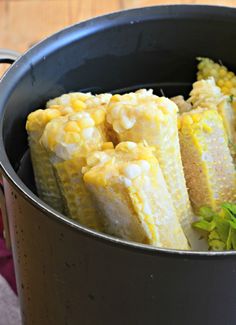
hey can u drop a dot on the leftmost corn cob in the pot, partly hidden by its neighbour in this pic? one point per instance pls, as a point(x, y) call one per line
point(45, 180)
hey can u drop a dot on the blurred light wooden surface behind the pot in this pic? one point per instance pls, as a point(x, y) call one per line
point(25, 22)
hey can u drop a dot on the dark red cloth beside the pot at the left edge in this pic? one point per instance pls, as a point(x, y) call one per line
point(6, 262)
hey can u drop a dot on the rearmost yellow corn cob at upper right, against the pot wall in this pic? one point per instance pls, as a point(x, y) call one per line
point(224, 78)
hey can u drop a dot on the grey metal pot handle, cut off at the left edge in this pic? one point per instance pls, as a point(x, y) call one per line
point(6, 56)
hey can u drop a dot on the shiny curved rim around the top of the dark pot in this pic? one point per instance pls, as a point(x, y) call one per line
point(81, 30)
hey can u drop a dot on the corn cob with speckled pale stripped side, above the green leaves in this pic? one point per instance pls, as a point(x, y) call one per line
point(208, 165)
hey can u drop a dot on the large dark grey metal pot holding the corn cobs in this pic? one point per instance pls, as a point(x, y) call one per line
point(68, 274)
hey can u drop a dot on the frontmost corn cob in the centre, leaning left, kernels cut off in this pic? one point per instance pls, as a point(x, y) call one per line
point(128, 186)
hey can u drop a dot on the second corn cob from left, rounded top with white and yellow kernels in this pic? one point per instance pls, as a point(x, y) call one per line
point(68, 140)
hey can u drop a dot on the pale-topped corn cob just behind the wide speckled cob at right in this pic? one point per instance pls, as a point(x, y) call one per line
point(207, 95)
